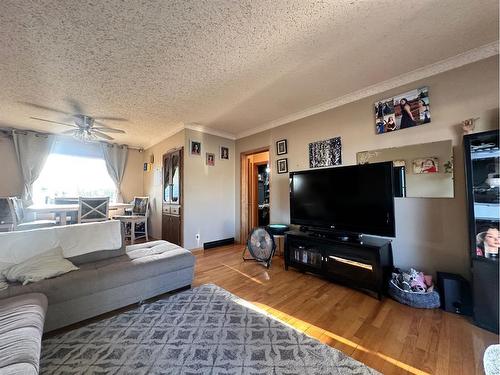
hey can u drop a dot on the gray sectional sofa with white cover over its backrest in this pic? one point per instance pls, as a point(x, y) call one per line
point(110, 275)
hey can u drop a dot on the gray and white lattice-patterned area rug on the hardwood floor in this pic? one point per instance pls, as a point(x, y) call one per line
point(205, 330)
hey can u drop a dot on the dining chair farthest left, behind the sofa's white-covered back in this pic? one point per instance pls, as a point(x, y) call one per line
point(12, 216)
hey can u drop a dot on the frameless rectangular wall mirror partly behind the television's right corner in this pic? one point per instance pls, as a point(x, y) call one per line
point(420, 171)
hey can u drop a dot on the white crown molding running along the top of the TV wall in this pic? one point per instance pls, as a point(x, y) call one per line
point(468, 57)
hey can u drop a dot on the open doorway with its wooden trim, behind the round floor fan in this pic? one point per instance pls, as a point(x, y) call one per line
point(255, 191)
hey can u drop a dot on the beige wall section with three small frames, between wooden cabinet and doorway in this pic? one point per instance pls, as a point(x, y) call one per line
point(208, 192)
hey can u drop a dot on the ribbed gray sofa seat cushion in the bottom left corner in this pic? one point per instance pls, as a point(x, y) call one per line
point(21, 328)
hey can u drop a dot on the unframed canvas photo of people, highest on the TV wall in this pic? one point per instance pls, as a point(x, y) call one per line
point(403, 111)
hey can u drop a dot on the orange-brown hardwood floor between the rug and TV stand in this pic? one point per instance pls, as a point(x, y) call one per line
point(387, 336)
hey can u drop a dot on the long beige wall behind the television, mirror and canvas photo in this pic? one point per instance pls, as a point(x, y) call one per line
point(431, 234)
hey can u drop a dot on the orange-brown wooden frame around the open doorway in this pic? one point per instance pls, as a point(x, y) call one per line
point(244, 190)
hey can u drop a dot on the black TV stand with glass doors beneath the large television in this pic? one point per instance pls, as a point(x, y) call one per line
point(363, 264)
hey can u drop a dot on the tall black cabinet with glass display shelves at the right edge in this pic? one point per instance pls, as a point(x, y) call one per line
point(482, 155)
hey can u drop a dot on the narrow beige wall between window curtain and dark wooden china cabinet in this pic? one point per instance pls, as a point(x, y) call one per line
point(152, 184)
